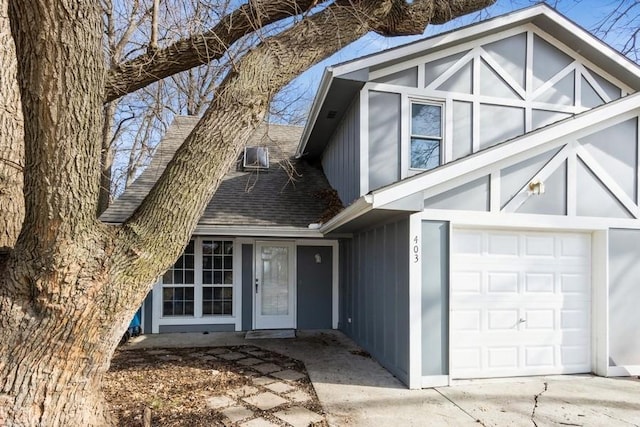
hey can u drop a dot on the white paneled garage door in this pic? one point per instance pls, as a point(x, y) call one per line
point(520, 303)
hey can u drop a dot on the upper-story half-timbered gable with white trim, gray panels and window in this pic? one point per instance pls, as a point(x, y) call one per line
point(461, 93)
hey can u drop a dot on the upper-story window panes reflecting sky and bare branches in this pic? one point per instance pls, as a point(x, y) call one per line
point(426, 135)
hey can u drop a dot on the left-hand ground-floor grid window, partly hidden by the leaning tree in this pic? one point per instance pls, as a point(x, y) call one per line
point(178, 298)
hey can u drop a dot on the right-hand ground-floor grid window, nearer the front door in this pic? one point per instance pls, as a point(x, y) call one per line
point(217, 277)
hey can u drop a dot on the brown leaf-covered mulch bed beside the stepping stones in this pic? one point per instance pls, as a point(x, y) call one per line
point(174, 383)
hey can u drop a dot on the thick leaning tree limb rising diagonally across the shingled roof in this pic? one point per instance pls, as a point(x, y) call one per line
point(182, 192)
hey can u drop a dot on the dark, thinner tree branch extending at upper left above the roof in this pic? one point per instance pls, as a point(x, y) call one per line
point(201, 48)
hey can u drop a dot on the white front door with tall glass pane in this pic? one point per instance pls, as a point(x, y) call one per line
point(274, 285)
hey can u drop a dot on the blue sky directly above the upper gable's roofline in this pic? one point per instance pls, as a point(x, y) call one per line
point(586, 13)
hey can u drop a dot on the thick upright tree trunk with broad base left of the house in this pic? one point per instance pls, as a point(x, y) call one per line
point(58, 320)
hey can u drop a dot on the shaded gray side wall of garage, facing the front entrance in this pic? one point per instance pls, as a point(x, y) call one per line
point(374, 293)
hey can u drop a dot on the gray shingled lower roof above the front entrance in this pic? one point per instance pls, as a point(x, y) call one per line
point(291, 193)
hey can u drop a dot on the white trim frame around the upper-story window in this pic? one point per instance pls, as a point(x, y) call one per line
point(407, 134)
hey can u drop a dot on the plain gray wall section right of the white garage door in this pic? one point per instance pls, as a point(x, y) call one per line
point(624, 296)
